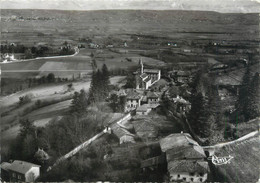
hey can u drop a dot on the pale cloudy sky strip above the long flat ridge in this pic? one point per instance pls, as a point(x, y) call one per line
point(224, 6)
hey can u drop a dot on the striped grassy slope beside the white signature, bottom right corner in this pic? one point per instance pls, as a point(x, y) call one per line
point(244, 167)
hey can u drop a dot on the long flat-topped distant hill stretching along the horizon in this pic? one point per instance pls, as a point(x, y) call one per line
point(55, 25)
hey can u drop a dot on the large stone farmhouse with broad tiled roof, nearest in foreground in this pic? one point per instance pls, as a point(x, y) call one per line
point(185, 158)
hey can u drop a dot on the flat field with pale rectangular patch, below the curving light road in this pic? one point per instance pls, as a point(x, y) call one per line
point(64, 67)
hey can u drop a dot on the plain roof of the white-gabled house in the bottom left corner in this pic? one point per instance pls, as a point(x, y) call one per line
point(22, 166)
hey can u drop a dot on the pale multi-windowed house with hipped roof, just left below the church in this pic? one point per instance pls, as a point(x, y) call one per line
point(133, 100)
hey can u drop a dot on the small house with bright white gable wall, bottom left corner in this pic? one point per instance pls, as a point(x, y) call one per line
point(21, 171)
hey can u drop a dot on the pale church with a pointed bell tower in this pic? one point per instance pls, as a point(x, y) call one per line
point(146, 77)
